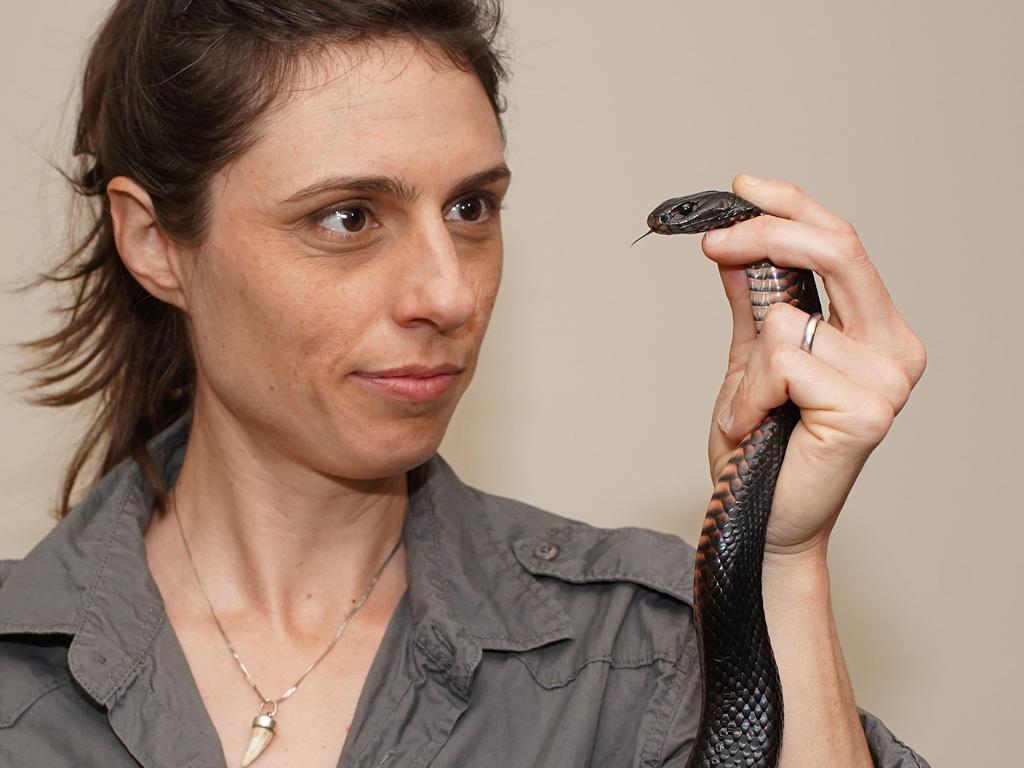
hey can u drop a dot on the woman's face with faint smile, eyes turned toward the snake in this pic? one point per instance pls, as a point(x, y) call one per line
point(361, 234)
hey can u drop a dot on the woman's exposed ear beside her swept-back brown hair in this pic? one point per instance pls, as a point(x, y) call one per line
point(145, 249)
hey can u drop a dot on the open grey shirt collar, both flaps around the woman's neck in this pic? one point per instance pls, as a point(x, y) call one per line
point(90, 577)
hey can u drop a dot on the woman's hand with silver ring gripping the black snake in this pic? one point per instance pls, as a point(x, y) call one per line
point(864, 365)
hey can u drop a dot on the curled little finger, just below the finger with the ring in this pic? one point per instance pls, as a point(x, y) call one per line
point(834, 409)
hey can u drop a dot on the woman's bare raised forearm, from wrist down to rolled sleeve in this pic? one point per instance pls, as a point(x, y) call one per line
point(823, 726)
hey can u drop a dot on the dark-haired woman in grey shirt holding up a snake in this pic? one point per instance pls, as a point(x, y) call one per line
point(294, 262)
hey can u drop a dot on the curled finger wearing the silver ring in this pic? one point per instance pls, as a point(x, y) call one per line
point(785, 324)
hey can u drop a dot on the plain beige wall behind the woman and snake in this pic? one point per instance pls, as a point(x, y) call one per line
point(596, 381)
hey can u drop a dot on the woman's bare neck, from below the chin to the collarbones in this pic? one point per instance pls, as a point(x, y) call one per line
point(272, 538)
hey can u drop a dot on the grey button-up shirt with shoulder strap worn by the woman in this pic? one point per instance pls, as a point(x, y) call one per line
point(524, 639)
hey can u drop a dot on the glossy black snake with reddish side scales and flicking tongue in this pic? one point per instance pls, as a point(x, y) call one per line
point(742, 714)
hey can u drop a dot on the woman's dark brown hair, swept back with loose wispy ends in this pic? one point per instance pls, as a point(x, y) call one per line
point(169, 101)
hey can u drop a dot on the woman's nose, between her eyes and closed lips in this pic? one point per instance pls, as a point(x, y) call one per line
point(438, 290)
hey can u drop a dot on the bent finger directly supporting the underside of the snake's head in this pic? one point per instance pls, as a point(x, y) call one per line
point(855, 286)
